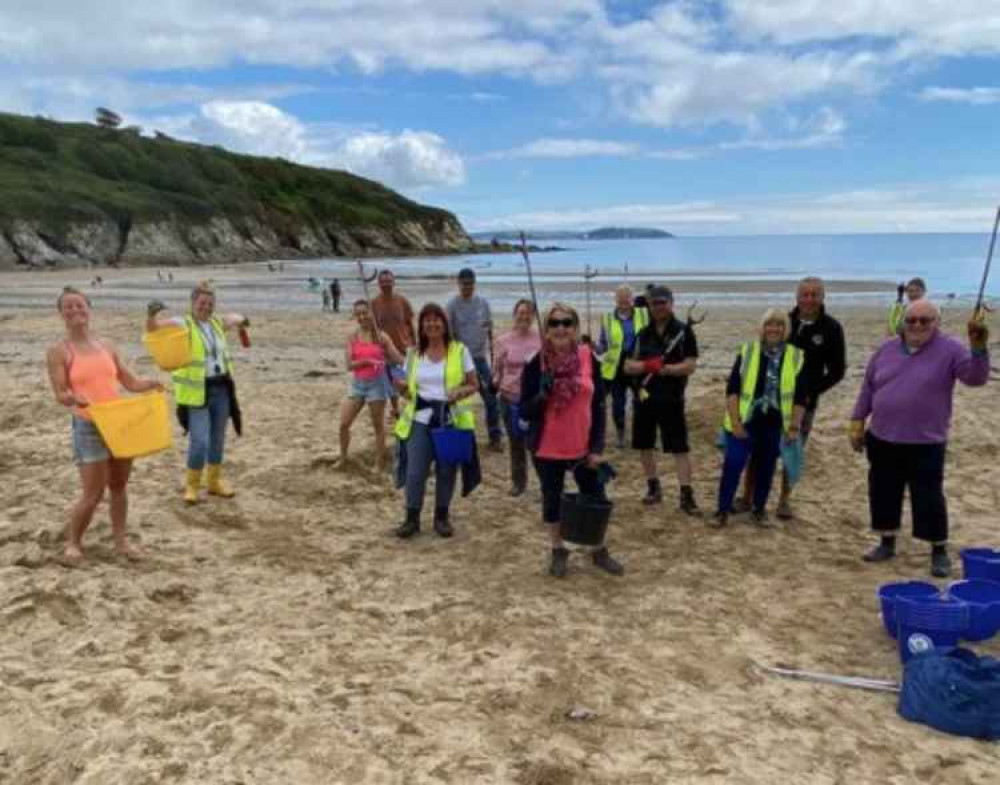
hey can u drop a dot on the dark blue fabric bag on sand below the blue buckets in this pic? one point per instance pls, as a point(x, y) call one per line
point(954, 691)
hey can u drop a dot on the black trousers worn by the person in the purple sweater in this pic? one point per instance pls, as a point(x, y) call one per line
point(894, 467)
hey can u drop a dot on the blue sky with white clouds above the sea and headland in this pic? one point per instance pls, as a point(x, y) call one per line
point(721, 117)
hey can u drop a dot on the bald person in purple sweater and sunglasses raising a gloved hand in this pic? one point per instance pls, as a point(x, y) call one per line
point(905, 401)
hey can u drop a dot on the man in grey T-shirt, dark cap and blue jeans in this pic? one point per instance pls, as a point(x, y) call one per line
point(472, 323)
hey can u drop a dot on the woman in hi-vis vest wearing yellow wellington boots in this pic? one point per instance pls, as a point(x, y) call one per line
point(204, 389)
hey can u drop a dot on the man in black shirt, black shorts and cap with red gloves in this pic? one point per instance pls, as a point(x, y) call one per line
point(665, 355)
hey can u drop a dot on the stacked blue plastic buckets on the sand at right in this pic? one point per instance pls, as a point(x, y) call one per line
point(921, 618)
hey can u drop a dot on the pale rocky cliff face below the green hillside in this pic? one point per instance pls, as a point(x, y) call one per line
point(172, 242)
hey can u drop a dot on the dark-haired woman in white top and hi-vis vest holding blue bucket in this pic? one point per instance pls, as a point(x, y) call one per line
point(439, 376)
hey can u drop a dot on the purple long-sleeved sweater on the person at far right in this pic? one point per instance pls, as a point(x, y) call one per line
point(909, 395)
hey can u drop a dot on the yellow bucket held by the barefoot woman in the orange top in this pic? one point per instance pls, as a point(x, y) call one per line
point(132, 427)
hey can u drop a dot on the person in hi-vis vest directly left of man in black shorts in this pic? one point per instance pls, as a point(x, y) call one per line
point(619, 329)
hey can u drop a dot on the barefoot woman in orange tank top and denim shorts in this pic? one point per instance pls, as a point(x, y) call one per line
point(85, 369)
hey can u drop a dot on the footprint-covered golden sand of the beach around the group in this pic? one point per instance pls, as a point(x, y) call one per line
point(286, 636)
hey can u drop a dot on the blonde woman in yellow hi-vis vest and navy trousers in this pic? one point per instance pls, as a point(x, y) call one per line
point(765, 403)
